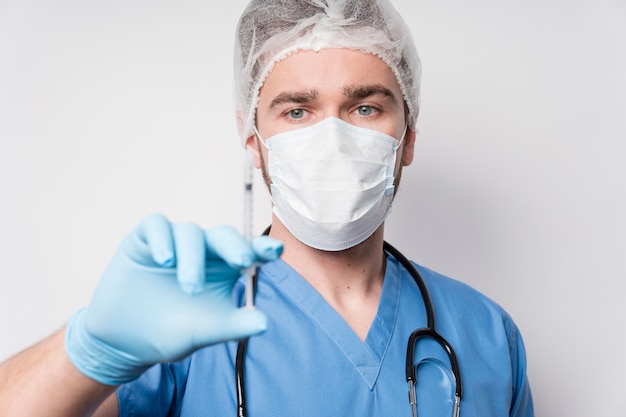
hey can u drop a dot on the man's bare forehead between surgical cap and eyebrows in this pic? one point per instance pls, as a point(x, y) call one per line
point(328, 70)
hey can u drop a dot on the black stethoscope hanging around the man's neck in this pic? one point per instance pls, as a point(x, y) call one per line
point(427, 332)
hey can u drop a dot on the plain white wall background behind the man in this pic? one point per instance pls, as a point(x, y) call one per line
point(112, 110)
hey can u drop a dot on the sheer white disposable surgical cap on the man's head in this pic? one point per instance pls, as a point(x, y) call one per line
point(271, 30)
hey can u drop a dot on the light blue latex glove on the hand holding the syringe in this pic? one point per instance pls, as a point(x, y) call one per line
point(165, 294)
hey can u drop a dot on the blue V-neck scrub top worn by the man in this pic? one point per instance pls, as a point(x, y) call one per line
point(311, 363)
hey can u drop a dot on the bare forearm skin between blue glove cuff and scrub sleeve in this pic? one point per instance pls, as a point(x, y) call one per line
point(41, 381)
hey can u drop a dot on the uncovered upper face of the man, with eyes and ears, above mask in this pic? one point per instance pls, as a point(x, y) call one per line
point(307, 87)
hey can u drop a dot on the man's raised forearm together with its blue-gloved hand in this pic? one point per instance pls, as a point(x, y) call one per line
point(165, 294)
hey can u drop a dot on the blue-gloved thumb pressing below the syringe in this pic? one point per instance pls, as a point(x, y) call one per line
point(238, 324)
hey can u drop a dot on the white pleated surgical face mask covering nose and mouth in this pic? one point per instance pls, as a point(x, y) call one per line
point(332, 182)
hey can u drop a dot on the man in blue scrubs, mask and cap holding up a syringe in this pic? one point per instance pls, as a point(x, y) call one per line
point(327, 100)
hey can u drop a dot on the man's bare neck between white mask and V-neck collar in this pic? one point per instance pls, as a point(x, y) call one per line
point(349, 280)
